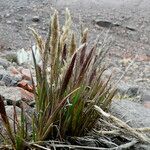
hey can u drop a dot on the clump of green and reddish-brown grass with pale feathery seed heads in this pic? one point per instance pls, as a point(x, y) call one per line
point(69, 84)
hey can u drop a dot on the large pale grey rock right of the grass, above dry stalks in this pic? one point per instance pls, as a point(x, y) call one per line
point(135, 114)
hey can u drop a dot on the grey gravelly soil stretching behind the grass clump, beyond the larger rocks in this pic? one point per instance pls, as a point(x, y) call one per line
point(126, 20)
